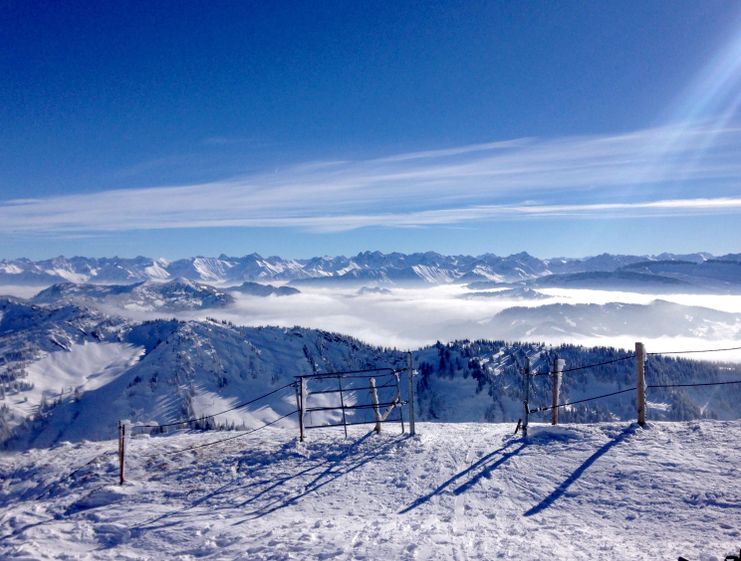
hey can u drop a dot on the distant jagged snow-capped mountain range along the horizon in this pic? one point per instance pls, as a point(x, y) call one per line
point(698, 270)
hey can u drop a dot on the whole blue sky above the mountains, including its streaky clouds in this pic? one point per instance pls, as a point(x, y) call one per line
point(296, 128)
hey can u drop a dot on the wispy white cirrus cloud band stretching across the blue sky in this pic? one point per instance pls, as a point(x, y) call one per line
point(600, 176)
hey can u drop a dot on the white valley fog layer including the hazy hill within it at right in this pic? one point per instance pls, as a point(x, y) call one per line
point(409, 318)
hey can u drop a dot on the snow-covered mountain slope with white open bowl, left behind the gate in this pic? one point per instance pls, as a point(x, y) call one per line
point(182, 370)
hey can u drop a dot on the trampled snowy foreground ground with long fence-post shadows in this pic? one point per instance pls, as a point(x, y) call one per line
point(454, 492)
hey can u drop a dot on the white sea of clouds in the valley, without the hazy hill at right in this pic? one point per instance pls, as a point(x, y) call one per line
point(413, 317)
